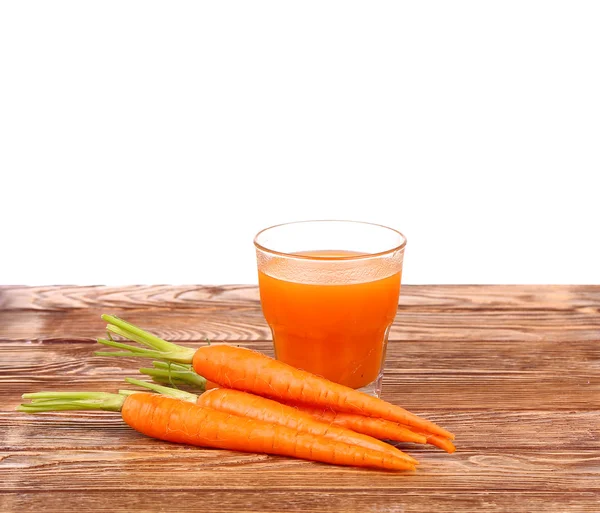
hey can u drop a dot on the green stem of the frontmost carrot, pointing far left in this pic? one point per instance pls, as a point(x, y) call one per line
point(59, 401)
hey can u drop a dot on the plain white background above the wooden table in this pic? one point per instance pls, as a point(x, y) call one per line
point(147, 142)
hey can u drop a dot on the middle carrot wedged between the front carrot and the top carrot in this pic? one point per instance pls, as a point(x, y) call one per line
point(252, 406)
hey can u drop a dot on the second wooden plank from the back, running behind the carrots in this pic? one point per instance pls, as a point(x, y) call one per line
point(419, 375)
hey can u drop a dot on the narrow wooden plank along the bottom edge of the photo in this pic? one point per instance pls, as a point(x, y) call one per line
point(301, 501)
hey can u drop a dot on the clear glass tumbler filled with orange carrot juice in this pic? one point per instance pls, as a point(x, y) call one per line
point(329, 291)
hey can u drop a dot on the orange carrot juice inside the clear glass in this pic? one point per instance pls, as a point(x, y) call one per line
point(336, 330)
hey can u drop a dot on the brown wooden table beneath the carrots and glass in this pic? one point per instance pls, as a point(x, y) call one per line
point(514, 371)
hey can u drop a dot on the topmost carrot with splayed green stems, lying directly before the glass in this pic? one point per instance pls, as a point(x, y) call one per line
point(250, 371)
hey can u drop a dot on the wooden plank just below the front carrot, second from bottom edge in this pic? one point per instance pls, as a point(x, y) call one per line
point(197, 469)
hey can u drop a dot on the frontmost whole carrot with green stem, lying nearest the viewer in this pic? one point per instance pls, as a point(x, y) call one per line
point(179, 421)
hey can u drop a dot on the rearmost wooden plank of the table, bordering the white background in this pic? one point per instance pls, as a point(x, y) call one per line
point(448, 313)
